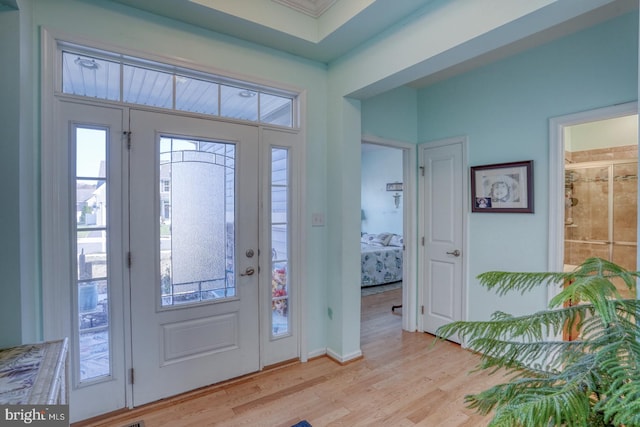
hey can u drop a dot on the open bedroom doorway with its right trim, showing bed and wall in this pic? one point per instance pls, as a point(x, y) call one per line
point(386, 253)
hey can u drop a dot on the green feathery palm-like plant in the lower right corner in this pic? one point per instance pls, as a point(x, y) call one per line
point(593, 380)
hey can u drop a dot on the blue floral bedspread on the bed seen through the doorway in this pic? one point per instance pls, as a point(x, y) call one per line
point(380, 264)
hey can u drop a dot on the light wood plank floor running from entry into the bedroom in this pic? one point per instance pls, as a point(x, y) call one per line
point(402, 380)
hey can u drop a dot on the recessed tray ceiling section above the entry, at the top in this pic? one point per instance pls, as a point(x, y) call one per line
point(320, 30)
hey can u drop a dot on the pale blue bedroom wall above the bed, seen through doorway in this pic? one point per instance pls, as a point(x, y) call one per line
point(380, 166)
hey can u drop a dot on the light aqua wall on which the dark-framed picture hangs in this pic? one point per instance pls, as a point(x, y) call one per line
point(504, 110)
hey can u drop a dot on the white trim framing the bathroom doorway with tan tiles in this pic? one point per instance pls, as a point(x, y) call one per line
point(556, 175)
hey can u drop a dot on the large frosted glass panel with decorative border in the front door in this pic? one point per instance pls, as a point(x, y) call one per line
point(196, 221)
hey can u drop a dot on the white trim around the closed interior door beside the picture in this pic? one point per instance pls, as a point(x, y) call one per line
point(463, 140)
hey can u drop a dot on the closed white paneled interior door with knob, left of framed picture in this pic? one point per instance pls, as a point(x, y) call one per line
point(443, 225)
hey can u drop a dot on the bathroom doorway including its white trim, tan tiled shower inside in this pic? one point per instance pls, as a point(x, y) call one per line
point(594, 190)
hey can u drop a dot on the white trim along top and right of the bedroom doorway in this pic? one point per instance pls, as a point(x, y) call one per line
point(410, 280)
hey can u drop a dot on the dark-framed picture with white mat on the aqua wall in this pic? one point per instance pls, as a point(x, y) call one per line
point(502, 187)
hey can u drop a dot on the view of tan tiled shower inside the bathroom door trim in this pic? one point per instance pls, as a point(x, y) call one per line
point(601, 193)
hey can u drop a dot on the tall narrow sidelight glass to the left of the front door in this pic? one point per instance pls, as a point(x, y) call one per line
point(92, 238)
